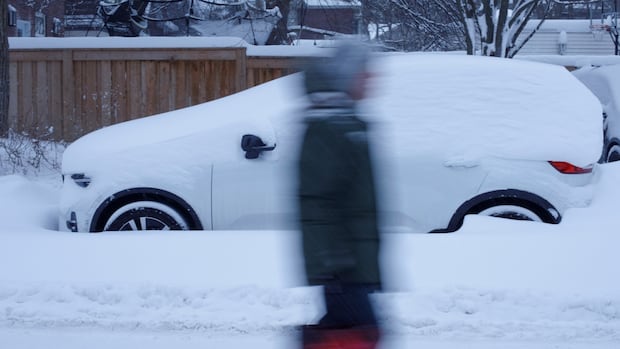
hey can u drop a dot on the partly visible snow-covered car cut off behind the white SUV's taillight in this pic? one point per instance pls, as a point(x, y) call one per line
point(604, 82)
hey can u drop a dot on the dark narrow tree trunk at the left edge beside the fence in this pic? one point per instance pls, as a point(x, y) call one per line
point(4, 70)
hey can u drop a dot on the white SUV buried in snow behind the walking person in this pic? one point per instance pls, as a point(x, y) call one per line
point(452, 136)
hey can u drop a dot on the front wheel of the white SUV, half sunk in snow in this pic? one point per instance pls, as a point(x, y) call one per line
point(145, 215)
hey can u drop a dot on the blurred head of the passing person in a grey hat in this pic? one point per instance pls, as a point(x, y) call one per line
point(345, 71)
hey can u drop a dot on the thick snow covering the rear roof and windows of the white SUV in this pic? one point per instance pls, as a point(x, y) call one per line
point(480, 106)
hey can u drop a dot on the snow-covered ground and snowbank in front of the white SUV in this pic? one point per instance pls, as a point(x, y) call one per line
point(495, 283)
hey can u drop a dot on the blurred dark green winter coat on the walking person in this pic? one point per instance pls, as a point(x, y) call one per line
point(338, 212)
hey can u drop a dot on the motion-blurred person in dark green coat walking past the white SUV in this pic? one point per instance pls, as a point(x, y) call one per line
point(337, 202)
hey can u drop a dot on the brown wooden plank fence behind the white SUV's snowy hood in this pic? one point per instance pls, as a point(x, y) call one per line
point(65, 93)
